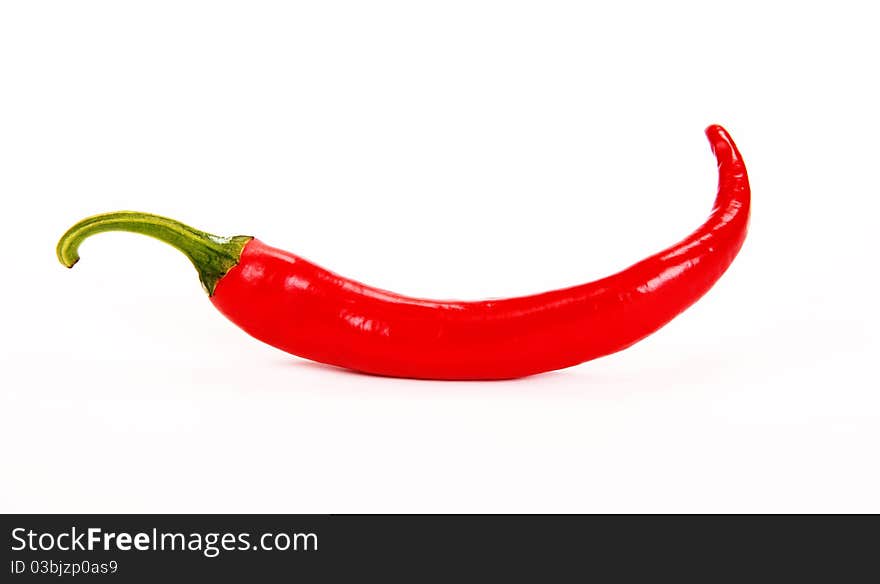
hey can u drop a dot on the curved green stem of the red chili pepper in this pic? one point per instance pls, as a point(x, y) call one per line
point(211, 255)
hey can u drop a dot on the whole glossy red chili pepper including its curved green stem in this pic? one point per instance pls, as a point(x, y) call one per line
point(299, 307)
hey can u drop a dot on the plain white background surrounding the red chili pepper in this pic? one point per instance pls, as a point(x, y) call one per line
point(442, 149)
